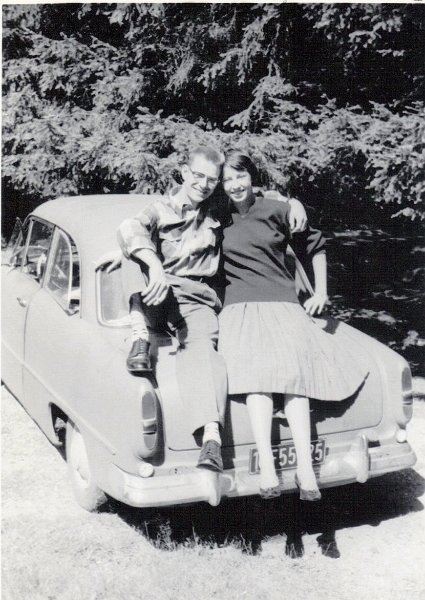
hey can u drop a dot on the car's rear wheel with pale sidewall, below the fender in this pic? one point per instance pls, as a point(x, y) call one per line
point(86, 492)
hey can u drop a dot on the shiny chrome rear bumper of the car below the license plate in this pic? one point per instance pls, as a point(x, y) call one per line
point(357, 463)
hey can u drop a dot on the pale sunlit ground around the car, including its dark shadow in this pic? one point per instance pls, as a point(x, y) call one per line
point(54, 550)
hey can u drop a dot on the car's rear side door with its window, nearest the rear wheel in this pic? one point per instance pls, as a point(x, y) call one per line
point(52, 335)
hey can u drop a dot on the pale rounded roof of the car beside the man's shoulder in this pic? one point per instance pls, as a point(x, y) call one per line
point(92, 221)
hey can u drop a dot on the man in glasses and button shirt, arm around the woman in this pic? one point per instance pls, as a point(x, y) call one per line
point(176, 242)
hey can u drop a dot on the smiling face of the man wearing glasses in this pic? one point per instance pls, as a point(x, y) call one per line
point(200, 179)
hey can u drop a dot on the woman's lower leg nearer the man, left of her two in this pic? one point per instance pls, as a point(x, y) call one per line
point(260, 410)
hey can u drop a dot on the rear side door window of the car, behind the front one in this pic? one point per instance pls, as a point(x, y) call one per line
point(63, 277)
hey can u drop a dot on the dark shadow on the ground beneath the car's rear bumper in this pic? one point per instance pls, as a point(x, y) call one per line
point(246, 522)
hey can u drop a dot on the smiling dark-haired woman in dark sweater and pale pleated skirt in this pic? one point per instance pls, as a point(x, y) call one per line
point(269, 341)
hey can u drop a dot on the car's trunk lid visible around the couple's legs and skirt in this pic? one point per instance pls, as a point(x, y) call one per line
point(362, 410)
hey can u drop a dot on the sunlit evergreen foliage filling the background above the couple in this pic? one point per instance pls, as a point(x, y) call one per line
point(327, 98)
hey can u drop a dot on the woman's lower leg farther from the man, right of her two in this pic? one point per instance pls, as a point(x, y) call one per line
point(297, 412)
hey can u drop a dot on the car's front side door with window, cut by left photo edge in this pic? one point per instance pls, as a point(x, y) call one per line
point(21, 280)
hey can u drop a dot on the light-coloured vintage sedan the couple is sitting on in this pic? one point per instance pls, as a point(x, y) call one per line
point(65, 338)
